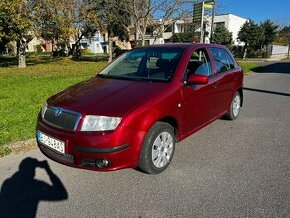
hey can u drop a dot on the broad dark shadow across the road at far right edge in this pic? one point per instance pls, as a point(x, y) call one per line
point(277, 67)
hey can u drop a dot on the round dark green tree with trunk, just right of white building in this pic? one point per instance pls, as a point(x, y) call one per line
point(252, 35)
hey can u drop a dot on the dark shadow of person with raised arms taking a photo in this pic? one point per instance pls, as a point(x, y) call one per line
point(20, 194)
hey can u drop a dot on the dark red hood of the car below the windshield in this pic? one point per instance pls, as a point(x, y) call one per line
point(107, 97)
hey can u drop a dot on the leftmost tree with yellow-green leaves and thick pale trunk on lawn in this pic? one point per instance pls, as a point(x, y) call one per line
point(18, 24)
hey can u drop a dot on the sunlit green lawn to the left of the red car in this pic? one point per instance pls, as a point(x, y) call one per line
point(24, 91)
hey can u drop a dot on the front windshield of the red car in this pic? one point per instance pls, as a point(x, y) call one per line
point(153, 64)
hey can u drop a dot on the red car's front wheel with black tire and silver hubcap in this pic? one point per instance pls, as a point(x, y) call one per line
point(157, 132)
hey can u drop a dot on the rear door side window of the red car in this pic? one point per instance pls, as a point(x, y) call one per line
point(222, 60)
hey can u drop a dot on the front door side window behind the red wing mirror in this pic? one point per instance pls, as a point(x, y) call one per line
point(199, 63)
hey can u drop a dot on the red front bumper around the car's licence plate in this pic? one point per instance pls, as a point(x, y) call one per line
point(120, 147)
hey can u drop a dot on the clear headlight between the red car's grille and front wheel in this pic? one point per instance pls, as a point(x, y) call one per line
point(100, 123)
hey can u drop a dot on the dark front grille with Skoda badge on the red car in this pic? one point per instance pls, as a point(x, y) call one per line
point(61, 118)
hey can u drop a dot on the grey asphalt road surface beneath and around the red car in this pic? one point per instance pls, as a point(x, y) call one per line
point(229, 169)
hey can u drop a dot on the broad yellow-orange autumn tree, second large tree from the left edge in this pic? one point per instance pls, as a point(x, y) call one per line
point(62, 21)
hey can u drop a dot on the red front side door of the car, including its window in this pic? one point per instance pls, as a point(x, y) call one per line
point(198, 99)
